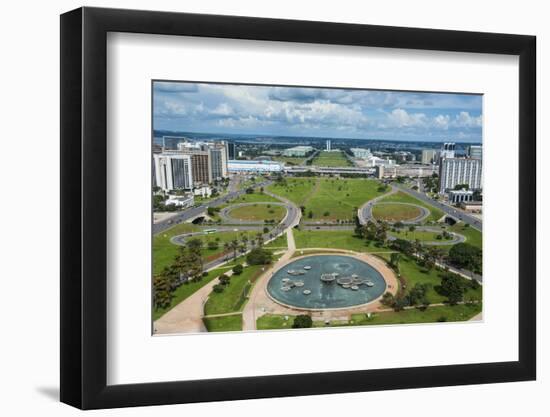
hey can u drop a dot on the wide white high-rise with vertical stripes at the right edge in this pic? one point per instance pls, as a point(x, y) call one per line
point(454, 171)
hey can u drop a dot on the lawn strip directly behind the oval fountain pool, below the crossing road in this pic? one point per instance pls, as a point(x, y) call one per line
point(337, 239)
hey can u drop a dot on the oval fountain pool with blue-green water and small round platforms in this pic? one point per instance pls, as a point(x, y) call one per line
point(326, 281)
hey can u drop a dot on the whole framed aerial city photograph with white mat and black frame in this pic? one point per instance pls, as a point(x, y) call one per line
point(257, 208)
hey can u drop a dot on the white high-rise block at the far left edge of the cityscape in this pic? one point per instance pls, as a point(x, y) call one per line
point(173, 171)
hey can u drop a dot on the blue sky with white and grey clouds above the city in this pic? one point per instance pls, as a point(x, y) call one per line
point(321, 112)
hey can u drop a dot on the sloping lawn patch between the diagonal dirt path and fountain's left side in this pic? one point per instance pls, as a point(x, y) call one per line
point(233, 297)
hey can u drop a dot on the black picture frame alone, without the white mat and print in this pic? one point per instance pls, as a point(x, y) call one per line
point(84, 207)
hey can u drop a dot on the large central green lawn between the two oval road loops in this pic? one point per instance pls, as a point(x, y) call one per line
point(328, 199)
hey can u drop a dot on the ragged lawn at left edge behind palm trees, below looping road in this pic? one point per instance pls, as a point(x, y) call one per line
point(165, 251)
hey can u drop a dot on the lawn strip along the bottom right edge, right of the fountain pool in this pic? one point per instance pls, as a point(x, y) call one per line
point(459, 312)
